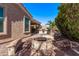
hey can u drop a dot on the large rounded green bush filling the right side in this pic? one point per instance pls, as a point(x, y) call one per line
point(68, 20)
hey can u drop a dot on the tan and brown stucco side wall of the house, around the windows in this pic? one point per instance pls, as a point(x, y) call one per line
point(13, 23)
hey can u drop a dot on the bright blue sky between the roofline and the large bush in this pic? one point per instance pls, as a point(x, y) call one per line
point(43, 12)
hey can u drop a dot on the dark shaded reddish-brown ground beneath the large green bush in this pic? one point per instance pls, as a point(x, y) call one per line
point(65, 46)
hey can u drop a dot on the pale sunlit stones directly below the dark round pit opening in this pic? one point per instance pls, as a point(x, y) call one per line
point(42, 48)
